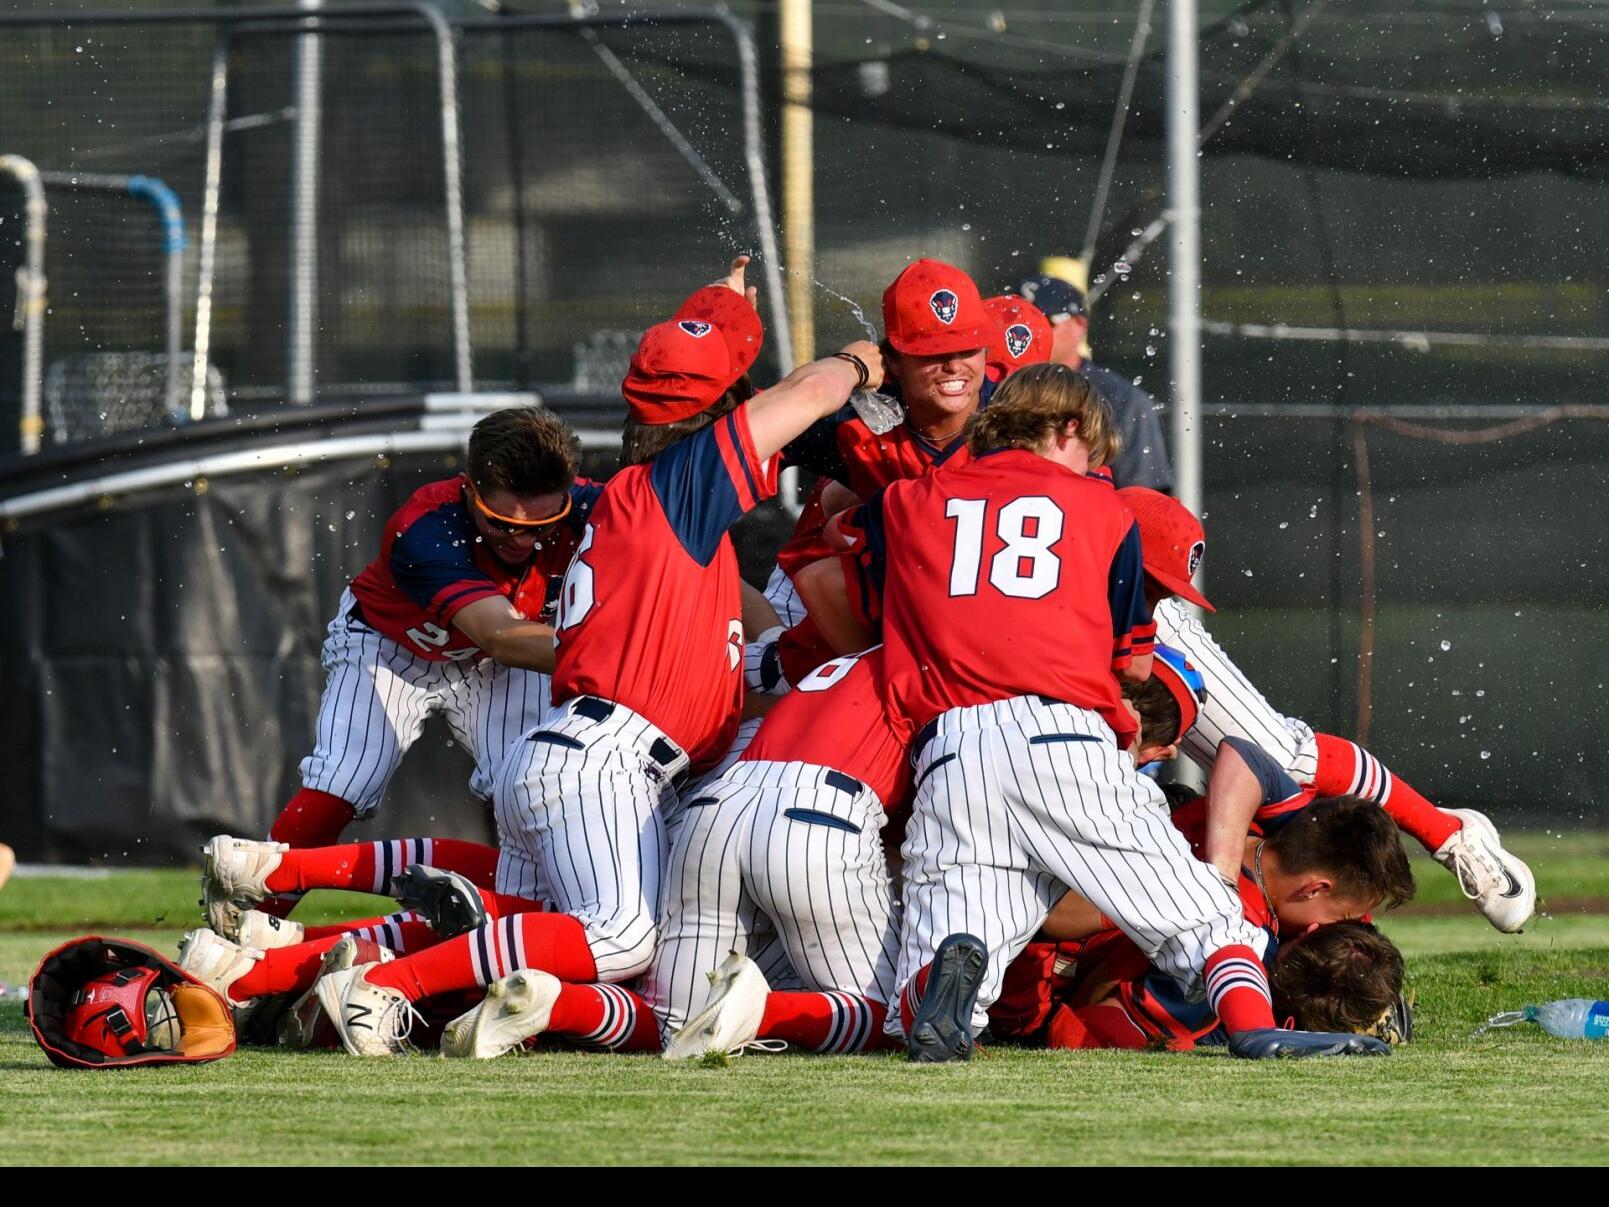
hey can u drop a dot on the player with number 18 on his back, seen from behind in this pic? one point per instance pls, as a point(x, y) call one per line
point(1011, 593)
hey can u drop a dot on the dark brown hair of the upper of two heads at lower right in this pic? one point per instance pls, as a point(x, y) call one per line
point(1352, 841)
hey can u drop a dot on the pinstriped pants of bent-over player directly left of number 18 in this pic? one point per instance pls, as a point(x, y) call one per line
point(788, 852)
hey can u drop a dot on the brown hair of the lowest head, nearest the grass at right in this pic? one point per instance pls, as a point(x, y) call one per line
point(1341, 978)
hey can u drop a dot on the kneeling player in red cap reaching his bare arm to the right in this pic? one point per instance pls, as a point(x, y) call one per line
point(649, 669)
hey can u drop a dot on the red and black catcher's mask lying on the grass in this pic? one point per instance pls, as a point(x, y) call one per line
point(110, 1003)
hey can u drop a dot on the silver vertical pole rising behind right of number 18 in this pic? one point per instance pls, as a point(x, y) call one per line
point(1185, 252)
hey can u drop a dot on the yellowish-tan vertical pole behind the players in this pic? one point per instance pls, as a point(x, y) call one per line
point(799, 184)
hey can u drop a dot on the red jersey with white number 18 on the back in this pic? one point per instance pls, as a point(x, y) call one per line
point(1008, 575)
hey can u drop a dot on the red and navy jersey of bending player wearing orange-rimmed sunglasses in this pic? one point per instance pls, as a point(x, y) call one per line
point(434, 564)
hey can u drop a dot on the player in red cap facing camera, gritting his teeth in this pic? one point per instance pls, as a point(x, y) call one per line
point(937, 340)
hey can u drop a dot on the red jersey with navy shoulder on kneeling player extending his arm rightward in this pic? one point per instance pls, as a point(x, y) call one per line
point(651, 616)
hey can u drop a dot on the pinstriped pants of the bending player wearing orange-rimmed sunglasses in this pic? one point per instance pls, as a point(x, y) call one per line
point(379, 698)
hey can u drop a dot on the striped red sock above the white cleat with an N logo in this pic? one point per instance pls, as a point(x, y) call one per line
point(549, 942)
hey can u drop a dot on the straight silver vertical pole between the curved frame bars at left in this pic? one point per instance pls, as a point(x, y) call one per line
point(302, 326)
